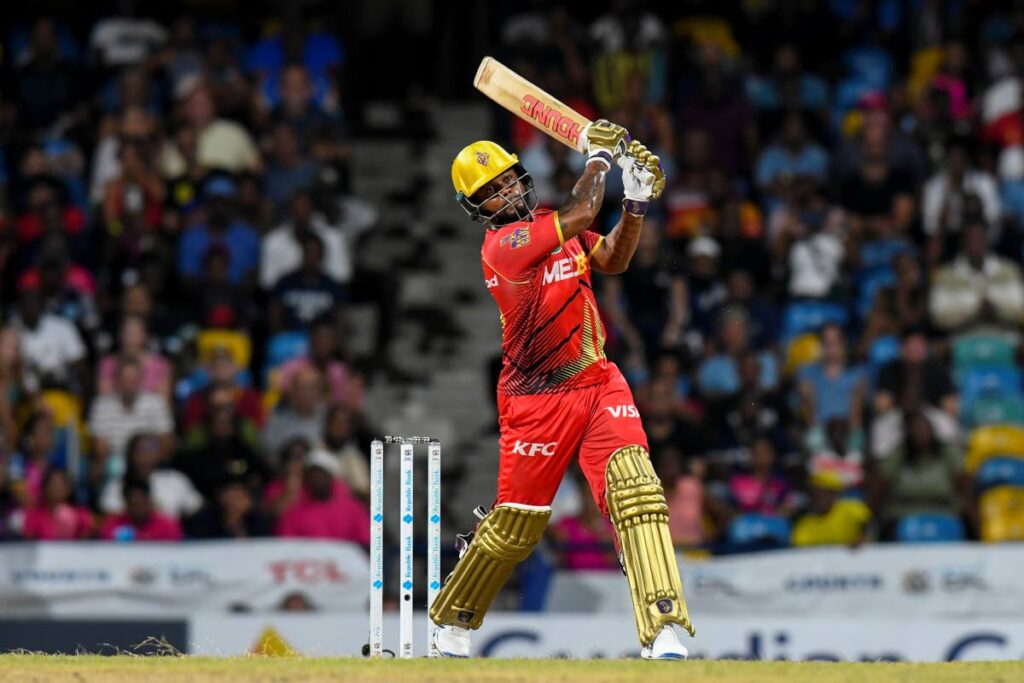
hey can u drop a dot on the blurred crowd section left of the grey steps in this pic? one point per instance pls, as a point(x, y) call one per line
point(179, 250)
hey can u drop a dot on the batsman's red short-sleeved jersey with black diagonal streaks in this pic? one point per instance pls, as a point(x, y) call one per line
point(552, 337)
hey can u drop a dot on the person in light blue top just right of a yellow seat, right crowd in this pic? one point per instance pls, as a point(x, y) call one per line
point(832, 389)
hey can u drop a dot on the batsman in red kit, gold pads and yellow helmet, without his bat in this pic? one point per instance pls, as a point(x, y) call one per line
point(559, 396)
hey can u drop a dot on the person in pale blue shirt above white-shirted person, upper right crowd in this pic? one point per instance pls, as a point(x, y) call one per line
point(787, 167)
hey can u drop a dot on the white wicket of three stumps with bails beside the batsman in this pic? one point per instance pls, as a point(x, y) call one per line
point(406, 573)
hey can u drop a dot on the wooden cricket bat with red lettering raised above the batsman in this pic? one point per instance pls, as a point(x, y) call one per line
point(530, 103)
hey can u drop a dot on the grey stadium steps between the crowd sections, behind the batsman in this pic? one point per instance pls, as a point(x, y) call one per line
point(456, 395)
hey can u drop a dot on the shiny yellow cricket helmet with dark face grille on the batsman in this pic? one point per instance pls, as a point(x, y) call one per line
point(478, 165)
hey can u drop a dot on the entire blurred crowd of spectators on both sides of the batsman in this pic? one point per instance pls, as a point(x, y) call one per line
point(822, 324)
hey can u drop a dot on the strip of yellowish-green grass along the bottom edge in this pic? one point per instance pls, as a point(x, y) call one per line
point(281, 670)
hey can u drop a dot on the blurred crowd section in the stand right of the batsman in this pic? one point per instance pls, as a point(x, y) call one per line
point(822, 324)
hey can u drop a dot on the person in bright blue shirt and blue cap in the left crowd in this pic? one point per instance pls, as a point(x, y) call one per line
point(223, 228)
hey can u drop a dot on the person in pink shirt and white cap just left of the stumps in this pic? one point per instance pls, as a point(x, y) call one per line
point(325, 511)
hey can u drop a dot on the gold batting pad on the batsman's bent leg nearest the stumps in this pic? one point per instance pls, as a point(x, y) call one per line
point(504, 539)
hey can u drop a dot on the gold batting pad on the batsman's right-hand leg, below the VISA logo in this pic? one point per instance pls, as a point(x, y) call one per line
point(638, 509)
